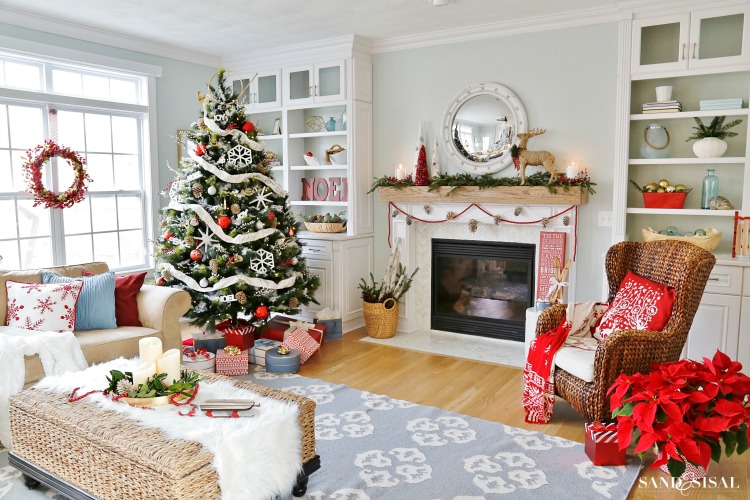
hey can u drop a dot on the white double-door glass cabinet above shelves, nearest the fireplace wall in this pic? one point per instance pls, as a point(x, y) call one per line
point(315, 83)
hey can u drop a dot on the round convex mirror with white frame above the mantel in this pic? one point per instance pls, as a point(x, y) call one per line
point(481, 125)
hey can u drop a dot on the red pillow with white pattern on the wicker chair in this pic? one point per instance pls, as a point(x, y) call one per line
point(640, 304)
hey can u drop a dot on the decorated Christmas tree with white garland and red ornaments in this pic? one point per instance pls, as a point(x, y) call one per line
point(229, 231)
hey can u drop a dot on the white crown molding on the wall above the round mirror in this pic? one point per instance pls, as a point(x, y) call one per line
point(502, 28)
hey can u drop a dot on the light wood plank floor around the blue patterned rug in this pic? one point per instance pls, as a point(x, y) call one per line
point(482, 390)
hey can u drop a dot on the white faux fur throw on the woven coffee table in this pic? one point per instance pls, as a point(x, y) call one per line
point(255, 458)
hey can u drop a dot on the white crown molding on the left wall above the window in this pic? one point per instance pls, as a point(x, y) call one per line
point(24, 19)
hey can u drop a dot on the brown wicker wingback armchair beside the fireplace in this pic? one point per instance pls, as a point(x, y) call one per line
point(678, 264)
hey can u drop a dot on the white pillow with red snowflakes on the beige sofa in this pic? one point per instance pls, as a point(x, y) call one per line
point(39, 306)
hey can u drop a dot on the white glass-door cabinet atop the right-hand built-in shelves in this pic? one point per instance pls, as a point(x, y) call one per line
point(691, 40)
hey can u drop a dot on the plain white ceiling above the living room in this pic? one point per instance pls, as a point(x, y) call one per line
point(235, 27)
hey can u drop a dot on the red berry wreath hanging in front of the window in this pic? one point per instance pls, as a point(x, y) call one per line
point(32, 169)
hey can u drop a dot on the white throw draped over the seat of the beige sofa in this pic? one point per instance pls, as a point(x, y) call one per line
point(58, 351)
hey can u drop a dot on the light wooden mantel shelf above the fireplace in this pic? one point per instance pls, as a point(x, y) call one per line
point(503, 195)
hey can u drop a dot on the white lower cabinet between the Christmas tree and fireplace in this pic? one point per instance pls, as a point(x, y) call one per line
point(340, 262)
